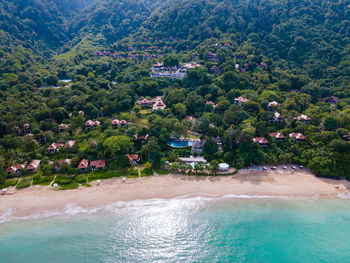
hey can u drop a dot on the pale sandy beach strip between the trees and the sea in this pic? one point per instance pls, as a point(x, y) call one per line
point(298, 183)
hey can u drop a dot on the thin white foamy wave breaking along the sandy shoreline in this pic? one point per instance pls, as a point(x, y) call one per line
point(191, 200)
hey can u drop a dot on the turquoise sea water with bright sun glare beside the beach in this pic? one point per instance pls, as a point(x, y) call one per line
point(186, 230)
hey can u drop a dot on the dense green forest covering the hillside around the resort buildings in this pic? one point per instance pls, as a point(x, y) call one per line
point(293, 52)
